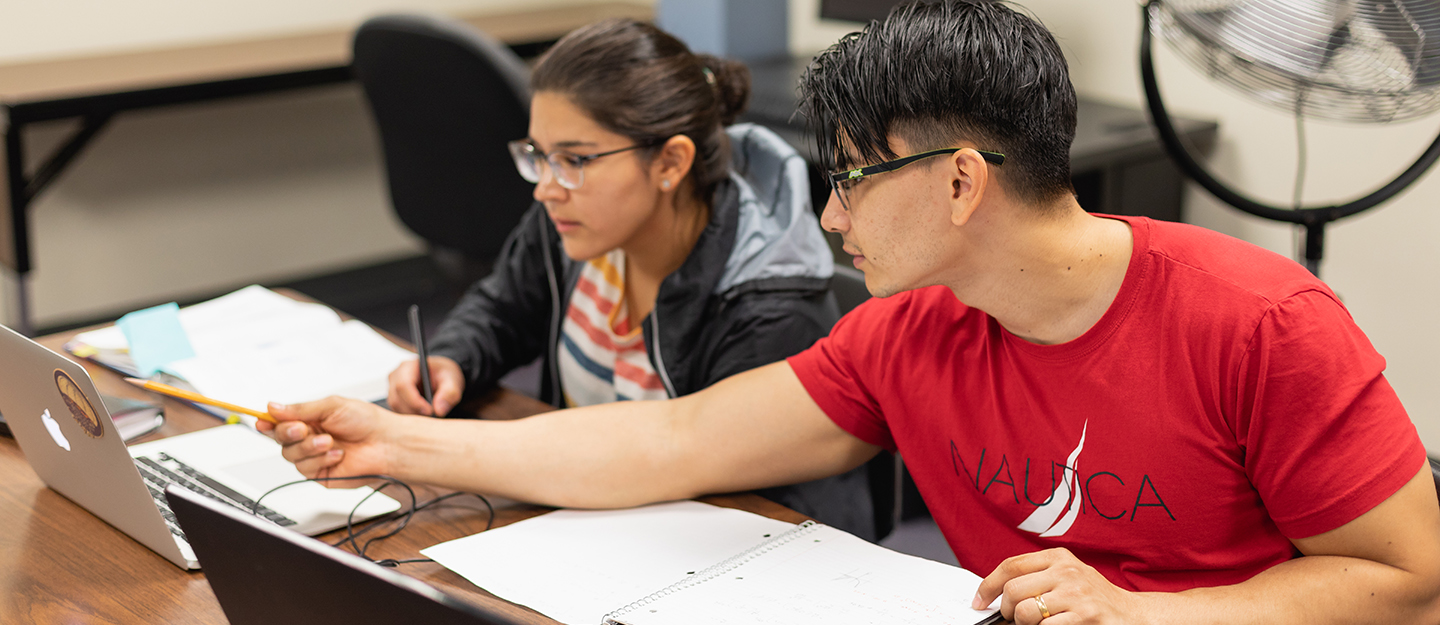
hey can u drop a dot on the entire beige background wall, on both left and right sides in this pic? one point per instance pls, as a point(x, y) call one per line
point(188, 199)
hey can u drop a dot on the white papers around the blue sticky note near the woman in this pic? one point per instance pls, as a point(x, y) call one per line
point(256, 346)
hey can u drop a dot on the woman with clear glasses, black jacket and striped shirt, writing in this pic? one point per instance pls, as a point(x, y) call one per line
point(667, 250)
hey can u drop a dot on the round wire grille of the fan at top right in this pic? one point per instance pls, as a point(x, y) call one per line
point(1367, 61)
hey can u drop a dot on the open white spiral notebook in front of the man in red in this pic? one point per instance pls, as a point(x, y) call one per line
point(696, 564)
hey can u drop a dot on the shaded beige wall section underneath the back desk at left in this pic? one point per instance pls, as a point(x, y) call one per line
point(182, 202)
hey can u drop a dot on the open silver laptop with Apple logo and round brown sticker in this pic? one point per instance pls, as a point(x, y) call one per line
point(68, 439)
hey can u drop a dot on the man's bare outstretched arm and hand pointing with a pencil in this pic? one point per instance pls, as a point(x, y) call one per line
point(755, 430)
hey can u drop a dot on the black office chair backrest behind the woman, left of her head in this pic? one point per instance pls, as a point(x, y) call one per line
point(447, 99)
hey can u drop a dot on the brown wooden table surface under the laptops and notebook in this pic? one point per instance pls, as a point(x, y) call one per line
point(58, 564)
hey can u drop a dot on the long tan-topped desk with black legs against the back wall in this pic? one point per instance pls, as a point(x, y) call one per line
point(94, 89)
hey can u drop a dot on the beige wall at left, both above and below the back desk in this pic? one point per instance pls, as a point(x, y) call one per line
point(179, 202)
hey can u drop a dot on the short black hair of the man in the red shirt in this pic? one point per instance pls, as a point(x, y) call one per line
point(942, 73)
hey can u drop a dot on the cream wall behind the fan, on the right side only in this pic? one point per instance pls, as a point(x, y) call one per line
point(1385, 264)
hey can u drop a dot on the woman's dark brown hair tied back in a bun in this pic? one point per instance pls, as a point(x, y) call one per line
point(643, 83)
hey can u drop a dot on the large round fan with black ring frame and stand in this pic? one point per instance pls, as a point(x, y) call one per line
point(1357, 61)
